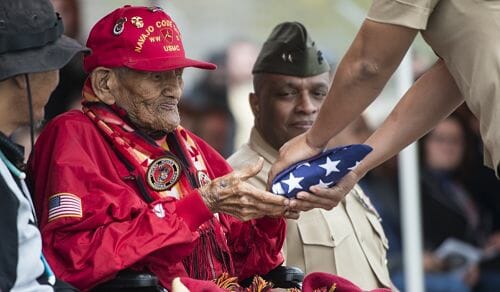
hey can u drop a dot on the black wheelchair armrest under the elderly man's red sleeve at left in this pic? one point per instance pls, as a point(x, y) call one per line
point(128, 280)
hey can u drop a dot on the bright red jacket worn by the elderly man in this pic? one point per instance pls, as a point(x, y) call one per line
point(117, 229)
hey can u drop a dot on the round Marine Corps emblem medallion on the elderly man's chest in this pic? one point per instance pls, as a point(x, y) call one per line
point(163, 173)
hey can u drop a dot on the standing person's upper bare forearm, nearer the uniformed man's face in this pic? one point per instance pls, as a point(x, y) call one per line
point(372, 58)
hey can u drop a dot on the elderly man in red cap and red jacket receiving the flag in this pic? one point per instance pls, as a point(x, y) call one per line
point(120, 185)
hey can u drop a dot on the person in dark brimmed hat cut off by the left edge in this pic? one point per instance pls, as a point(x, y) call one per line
point(32, 50)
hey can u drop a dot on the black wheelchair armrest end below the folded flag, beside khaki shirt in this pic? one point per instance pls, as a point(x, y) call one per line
point(282, 277)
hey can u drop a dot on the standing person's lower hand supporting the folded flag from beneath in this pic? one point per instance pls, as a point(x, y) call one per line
point(325, 198)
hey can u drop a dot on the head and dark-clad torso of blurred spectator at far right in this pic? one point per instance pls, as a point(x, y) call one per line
point(443, 193)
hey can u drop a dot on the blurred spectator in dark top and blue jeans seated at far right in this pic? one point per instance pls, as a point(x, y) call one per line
point(449, 209)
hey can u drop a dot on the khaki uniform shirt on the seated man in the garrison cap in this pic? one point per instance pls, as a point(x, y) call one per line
point(348, 240)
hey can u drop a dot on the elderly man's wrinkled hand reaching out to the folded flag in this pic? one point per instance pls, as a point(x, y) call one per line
point(231, 194)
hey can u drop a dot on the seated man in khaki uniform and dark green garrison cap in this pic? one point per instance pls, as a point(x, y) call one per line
point(291, 79)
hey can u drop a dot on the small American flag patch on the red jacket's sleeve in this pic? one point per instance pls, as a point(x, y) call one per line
point(64, 205)
